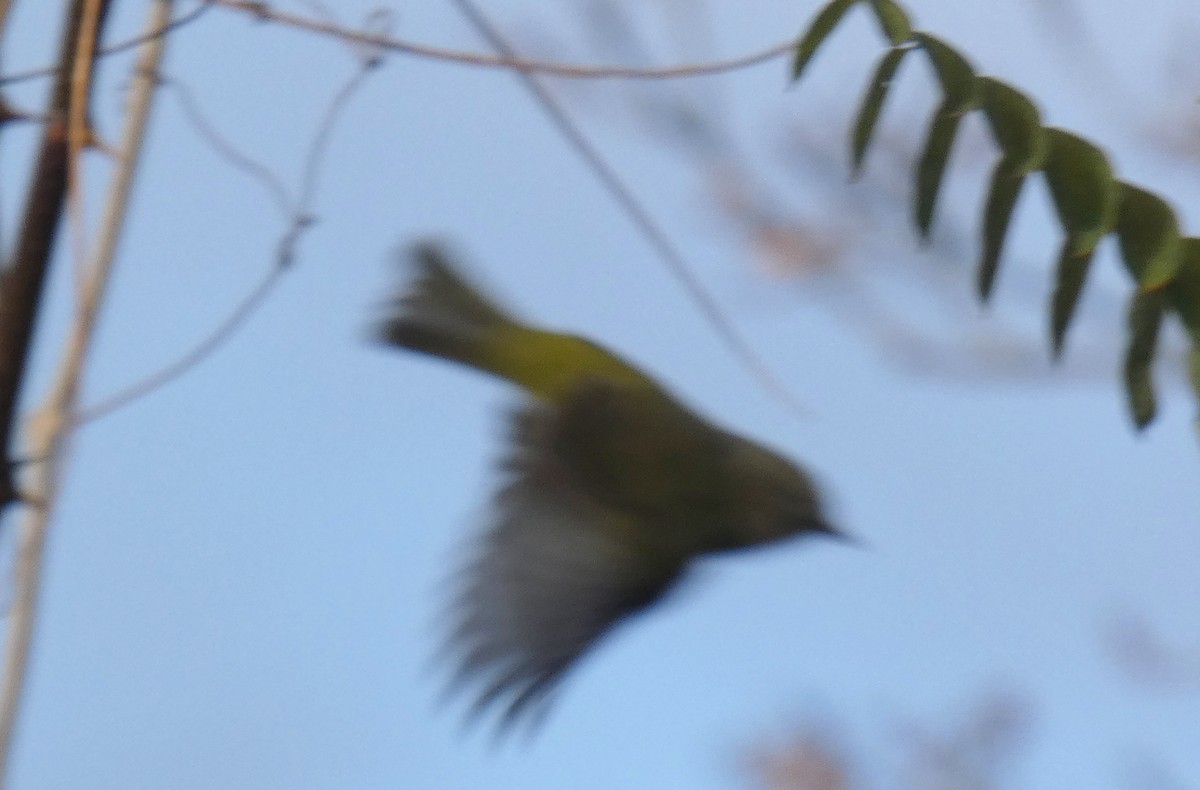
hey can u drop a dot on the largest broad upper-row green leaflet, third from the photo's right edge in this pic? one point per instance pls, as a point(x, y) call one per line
point(1082, 187)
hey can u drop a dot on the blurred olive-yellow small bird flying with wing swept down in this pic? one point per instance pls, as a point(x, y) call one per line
point(613, 488)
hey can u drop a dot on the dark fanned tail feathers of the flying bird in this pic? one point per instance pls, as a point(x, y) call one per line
point(442, 315)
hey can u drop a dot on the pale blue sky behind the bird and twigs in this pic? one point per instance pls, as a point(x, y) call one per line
point(247, 574)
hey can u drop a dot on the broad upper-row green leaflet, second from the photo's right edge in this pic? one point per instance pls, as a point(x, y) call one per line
point(1149, 235)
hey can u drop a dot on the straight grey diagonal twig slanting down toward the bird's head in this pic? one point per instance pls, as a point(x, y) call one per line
point(646, 225)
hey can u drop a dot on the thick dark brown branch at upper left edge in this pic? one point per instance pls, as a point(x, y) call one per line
point(25, 276)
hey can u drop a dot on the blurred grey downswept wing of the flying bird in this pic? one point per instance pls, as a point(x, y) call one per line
point(555, 573)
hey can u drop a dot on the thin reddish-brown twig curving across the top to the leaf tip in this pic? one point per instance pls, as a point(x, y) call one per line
point(263, 13)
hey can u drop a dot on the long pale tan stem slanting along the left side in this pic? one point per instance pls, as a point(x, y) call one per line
point(51, 427)
